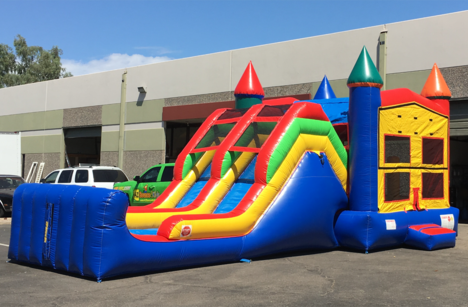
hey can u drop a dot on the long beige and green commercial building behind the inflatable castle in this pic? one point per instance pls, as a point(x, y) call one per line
point(140, 116)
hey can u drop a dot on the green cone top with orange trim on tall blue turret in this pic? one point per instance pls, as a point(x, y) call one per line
point(364, 72)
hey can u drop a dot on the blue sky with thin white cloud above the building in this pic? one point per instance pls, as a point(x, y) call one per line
point(104, 35)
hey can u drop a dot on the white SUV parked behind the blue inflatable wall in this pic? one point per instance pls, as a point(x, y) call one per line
point(92, 176)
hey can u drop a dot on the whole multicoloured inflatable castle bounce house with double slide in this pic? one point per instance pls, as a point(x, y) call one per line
point(271, 176)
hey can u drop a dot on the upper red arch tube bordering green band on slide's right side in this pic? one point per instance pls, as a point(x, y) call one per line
point(298, 110)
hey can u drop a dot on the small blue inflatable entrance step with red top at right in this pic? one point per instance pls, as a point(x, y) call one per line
point(430, 237)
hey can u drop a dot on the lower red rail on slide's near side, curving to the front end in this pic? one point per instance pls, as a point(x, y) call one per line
point(168, 224)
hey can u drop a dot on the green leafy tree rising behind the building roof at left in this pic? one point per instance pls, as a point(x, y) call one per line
point(29, 64)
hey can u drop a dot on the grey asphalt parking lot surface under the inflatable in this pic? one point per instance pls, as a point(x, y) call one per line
point(397, 277)
